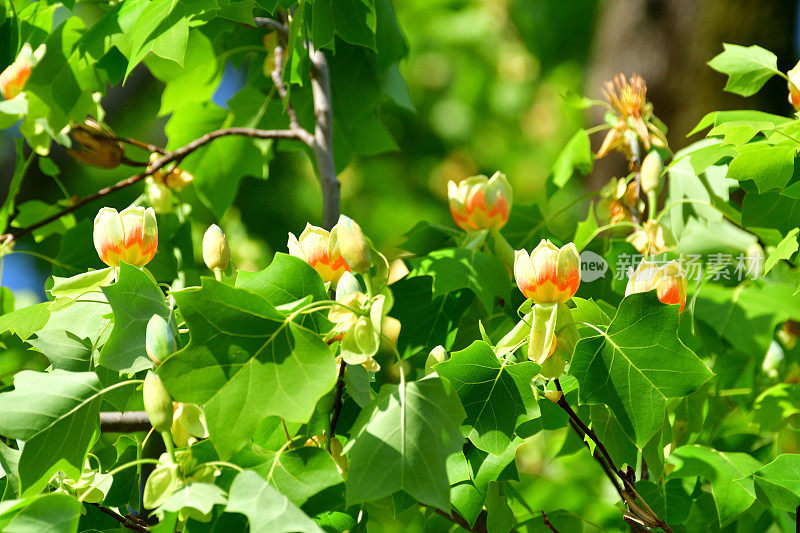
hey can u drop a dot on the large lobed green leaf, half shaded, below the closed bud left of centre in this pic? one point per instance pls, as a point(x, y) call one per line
point(244, 362)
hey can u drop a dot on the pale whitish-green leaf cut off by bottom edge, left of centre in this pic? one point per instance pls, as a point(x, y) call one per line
point(267, 510)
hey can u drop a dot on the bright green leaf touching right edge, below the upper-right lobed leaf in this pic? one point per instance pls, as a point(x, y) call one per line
point(770, 167)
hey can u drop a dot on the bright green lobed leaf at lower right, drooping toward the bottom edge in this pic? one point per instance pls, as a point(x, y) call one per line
point(728, 472)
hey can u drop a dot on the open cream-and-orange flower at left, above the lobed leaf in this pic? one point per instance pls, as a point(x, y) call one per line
point(130, 236)
